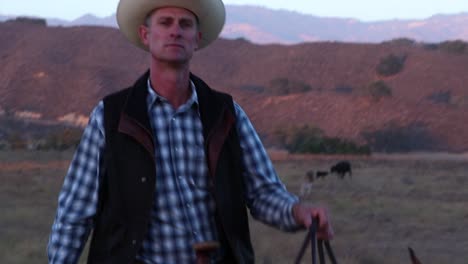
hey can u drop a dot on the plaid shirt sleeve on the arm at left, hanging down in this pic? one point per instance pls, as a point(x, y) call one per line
point(77, 200)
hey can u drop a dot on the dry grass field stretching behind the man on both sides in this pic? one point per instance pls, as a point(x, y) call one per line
point(390, 203)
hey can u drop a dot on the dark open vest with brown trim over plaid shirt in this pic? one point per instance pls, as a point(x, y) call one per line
point(127, 185)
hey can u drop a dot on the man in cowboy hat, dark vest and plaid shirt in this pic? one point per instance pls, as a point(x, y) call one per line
point(169, 163)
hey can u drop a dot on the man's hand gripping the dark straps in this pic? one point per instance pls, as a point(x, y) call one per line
point(303, 215)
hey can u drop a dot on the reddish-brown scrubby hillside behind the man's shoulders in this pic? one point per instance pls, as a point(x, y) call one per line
point(410, 93)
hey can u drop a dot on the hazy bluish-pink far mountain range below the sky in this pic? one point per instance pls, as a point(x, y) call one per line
point(262, 26)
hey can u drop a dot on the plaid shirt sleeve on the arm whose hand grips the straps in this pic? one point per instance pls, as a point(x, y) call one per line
point(267, 197)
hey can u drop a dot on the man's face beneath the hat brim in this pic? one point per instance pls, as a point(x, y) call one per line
point(171, 34)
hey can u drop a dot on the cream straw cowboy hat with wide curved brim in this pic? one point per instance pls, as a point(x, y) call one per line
point(210, 13)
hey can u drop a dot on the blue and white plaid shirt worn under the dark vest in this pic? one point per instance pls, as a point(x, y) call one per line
point(183, 207)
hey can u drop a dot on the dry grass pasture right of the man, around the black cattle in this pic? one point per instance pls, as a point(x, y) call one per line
point(390, 203)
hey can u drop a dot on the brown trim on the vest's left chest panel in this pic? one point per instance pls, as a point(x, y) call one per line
point(132, 128)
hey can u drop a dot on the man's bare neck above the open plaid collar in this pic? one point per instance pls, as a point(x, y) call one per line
point(171, 83)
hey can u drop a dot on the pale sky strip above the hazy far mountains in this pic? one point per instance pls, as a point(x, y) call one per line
point(365, 10)
